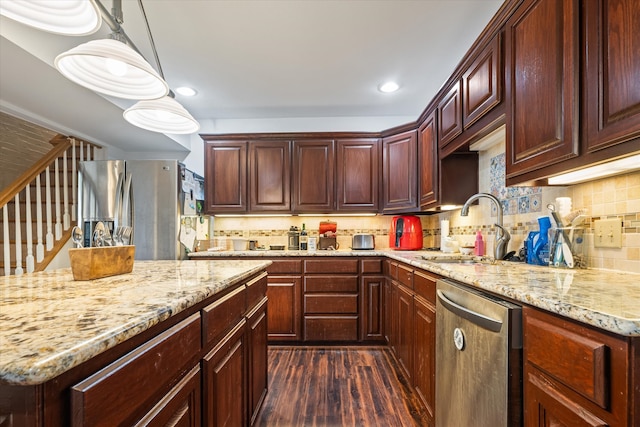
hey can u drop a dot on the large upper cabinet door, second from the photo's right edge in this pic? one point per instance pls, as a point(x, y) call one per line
point(541, 54)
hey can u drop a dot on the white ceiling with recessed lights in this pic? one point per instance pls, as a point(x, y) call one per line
point(284, 62)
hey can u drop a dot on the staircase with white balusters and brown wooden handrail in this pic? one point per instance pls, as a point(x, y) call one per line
point(38, 210)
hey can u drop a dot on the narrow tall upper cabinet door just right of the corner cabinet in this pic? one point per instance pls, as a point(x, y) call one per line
point(428, 161)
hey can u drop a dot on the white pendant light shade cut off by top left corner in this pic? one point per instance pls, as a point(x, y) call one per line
point(68, 17)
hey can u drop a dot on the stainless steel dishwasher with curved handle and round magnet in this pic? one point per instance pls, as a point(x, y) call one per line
point(478, 358)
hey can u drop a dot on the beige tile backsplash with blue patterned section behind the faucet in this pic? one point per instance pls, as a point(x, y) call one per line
point(610, 197)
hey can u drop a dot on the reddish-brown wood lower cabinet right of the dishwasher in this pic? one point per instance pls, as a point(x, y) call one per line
point(575, 375)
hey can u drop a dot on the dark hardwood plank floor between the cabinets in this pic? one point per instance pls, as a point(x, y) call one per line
point(337, 386)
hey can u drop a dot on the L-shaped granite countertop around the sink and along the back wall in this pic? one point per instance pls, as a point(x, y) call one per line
point(609, 300)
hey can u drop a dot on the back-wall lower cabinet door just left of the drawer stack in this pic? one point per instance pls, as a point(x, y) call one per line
point(285, 301)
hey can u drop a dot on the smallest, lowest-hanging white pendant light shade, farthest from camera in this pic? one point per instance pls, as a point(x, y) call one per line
point(164, 115)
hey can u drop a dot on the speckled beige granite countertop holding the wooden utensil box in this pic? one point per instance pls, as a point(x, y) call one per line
point(50, 323)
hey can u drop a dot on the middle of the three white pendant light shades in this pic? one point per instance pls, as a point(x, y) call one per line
point(112, 68)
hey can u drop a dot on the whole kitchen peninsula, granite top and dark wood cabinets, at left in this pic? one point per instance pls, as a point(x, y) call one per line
point(128, 348)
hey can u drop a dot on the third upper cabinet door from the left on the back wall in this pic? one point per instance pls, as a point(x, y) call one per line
point(313, 169)
